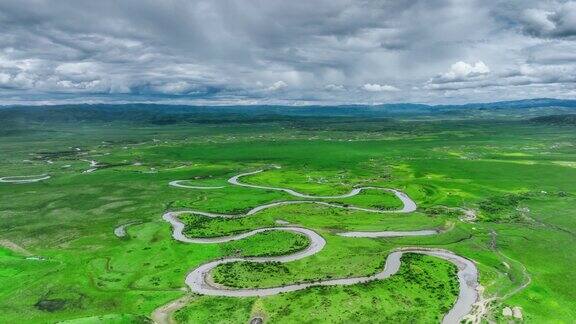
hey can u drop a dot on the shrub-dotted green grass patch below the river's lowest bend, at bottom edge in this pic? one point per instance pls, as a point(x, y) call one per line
point(428, 289)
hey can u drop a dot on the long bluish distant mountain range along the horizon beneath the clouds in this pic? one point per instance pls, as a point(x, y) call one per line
point(169, 114)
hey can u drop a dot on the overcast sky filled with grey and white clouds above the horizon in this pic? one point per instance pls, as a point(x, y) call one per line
point(294, 52)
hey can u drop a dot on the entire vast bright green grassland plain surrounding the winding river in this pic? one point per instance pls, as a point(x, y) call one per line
point(519, 177)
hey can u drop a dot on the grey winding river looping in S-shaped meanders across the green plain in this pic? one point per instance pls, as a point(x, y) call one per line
point(199, 279)
